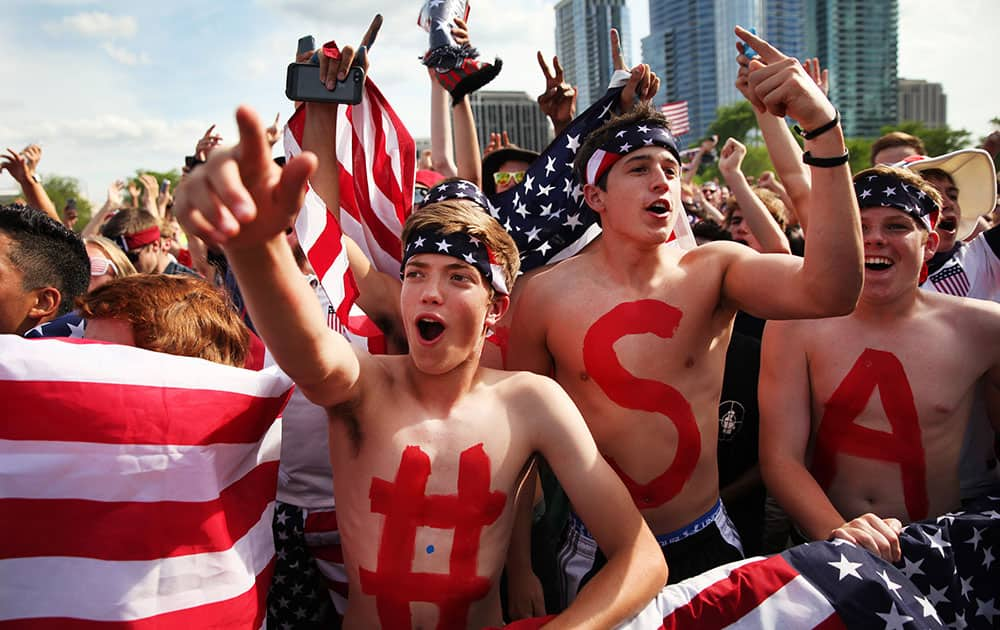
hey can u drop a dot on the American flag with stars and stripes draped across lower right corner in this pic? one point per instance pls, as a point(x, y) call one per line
point(948, 577)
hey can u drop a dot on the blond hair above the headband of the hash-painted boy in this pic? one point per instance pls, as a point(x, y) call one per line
point(458, 215)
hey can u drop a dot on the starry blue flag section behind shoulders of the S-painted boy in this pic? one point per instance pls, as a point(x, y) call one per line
point(546, 214)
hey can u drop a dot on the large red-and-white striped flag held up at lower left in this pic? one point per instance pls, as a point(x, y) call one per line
point(136, 488)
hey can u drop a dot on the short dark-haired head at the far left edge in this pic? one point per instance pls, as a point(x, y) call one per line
point(43, 267)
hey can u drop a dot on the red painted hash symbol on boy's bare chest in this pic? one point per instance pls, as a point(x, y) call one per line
point(407, 506)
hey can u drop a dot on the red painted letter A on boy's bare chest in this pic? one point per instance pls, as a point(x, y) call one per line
point(903, 445)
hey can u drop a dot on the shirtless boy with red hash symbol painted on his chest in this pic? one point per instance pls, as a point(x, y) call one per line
point(426, 447)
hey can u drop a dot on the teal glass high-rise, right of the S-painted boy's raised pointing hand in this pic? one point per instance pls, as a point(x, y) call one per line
point(858, 41)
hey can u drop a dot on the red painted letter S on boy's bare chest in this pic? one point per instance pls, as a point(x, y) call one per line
point(625, 390)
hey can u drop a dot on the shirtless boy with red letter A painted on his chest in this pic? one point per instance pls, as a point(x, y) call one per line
point(841, 460)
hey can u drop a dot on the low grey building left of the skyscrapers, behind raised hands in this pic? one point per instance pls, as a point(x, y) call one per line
point(514, 112)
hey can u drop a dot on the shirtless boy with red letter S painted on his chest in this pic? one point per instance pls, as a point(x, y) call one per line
point(636, 331)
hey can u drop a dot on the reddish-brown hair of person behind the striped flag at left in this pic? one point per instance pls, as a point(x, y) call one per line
point(179, 315)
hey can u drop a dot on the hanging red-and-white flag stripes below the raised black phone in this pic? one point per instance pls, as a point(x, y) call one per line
point(377, 159)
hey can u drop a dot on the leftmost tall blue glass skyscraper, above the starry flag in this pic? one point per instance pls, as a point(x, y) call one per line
point(583, 45)
